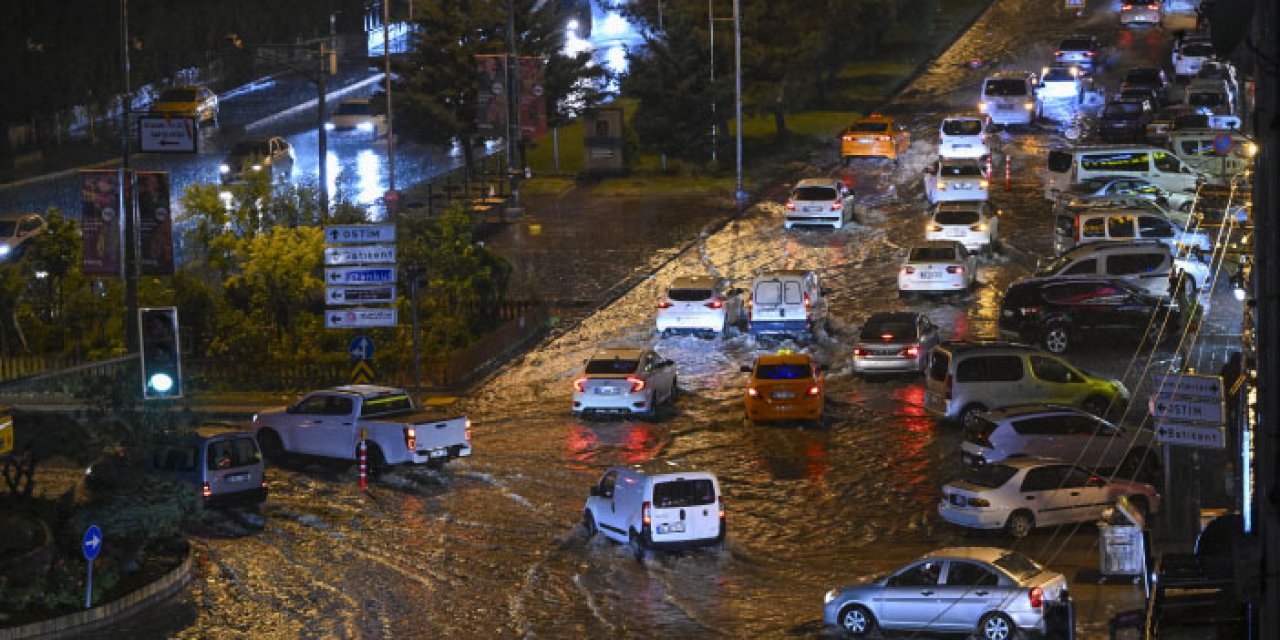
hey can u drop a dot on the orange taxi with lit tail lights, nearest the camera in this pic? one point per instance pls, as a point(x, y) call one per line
point(785, 386)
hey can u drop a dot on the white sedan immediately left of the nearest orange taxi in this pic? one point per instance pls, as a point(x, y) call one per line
point(625, 382)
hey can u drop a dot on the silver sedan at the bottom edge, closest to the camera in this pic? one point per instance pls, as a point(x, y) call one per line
point(995, 592)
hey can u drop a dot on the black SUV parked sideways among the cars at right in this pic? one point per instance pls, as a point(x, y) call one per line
point(1057, 312)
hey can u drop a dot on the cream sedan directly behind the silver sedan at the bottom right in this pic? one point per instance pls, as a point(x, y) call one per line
point(1021, 495)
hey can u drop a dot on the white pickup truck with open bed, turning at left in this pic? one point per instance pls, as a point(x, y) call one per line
point(327, 424)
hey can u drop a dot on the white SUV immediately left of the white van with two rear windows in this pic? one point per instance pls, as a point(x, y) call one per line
point(700, 304)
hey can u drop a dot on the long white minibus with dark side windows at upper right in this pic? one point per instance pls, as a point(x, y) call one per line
point(1077, 166)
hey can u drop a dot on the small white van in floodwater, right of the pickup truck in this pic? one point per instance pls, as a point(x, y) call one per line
point(653, 508)
